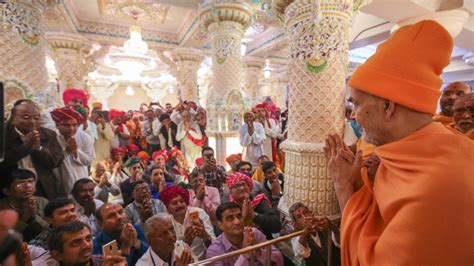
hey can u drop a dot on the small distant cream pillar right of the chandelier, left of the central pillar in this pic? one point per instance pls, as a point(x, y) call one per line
point(188, 61)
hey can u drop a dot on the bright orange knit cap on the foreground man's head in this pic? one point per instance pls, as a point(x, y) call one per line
point(406, 68)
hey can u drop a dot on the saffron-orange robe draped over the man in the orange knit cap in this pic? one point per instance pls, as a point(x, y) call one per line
point(419, 210)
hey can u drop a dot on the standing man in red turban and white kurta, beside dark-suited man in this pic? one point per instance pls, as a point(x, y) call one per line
point(77, 145)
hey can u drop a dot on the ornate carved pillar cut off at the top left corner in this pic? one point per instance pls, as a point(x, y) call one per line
point(22, 50)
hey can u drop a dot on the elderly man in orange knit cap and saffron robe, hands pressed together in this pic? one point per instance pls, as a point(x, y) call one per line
point(412, 206)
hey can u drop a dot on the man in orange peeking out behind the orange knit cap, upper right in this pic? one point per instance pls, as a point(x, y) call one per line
point(450, 94)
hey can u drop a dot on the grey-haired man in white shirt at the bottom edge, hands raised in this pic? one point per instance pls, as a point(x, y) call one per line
point(160, 234)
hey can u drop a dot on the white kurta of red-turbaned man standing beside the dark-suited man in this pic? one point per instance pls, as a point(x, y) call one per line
point(73, 167)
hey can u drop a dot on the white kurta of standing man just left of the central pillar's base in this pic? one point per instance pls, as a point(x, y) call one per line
point(188, 147)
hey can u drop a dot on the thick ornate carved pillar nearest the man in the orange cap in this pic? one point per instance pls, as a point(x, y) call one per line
point(318, 58)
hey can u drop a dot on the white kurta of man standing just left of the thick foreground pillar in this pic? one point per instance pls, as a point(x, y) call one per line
point(253, 145)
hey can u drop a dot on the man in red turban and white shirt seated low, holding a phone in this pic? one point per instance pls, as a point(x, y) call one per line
point(191, 224)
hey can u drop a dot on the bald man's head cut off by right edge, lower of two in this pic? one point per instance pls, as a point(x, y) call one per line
point(463, 114)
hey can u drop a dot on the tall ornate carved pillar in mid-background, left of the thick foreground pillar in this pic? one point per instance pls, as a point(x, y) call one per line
point(226, 22)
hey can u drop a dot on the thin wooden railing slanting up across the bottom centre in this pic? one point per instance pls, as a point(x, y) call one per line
point(268, 244)
